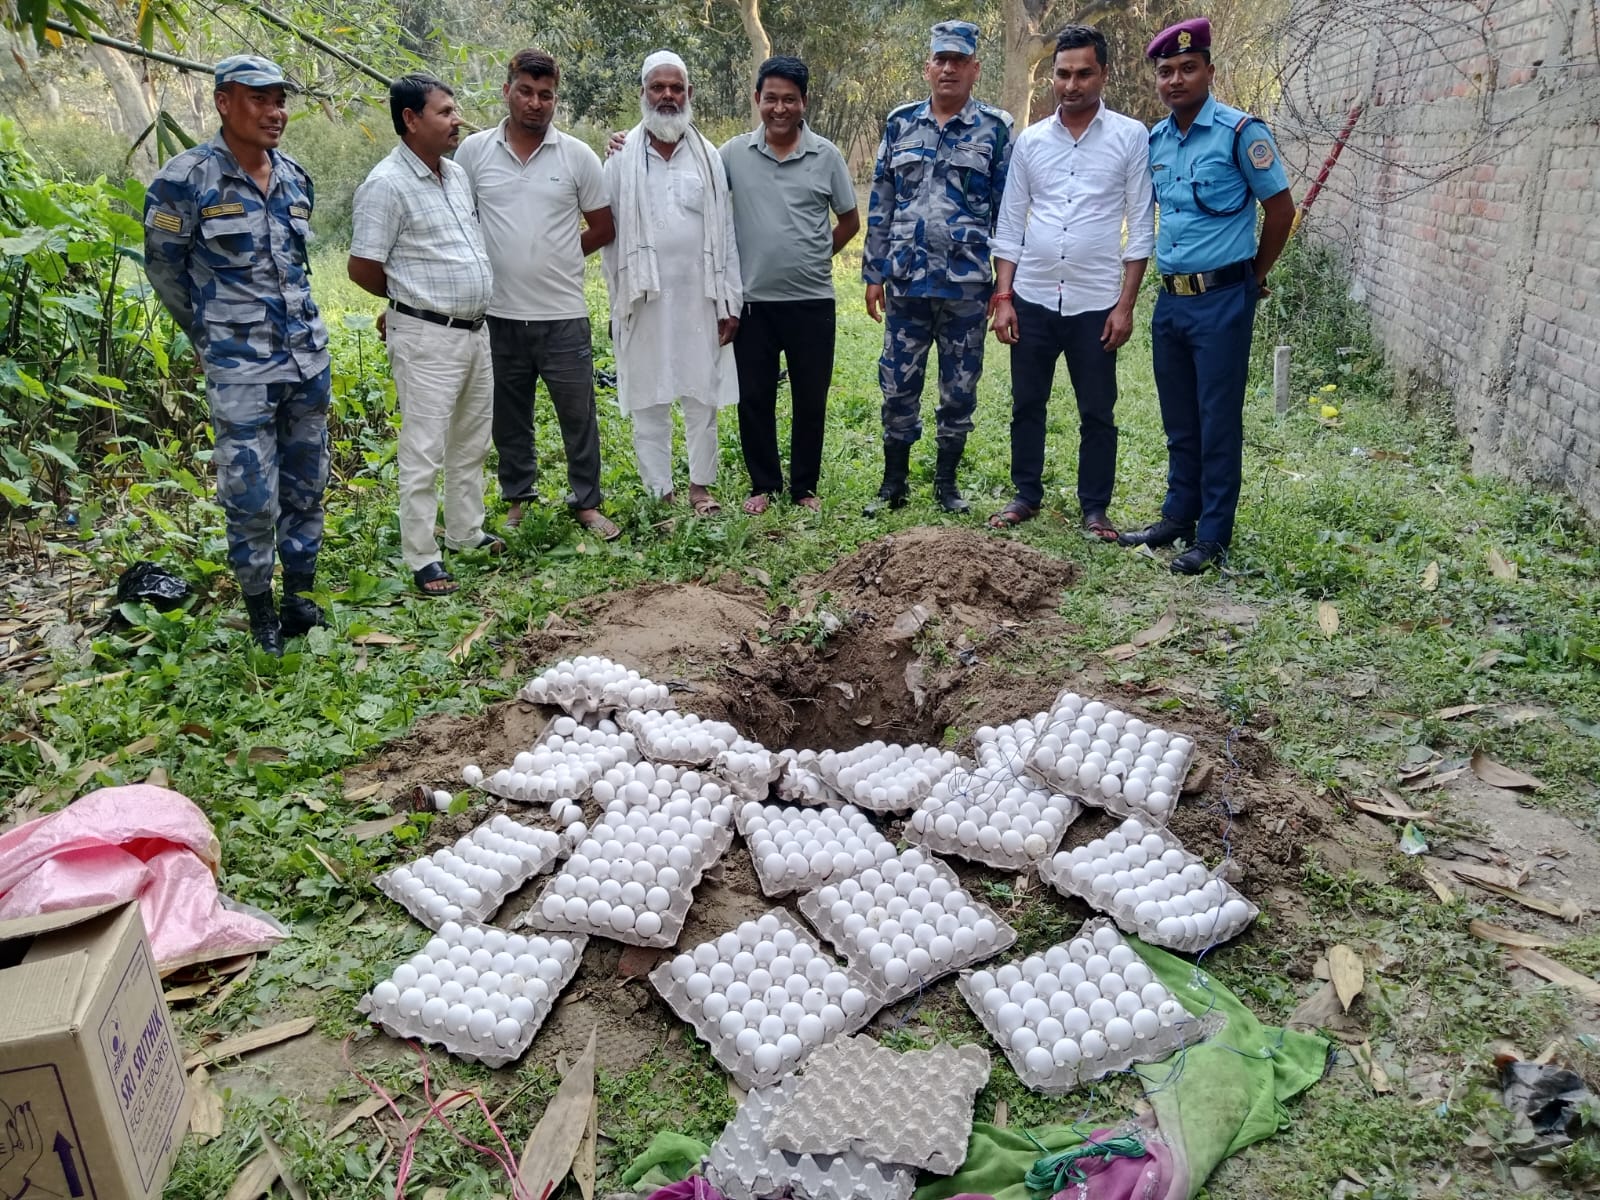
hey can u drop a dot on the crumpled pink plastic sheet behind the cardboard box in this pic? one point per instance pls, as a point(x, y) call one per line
point(137, 842)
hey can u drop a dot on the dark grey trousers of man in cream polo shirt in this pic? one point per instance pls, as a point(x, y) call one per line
point(561, 354)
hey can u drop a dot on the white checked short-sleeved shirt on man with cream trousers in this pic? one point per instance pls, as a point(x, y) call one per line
point(422, 228)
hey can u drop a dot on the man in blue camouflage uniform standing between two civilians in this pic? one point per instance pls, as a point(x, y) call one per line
point(935, 196)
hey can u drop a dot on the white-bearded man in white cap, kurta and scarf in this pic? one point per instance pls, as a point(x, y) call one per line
point(674, 281)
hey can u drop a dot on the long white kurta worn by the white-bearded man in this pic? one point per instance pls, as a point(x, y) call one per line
point(666, 348)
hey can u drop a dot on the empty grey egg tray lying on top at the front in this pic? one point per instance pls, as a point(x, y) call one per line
point(868, 1100)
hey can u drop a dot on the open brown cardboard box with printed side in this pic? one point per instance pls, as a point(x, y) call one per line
point(92, 1078)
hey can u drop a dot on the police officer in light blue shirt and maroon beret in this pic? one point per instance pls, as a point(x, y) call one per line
point(1212, 166)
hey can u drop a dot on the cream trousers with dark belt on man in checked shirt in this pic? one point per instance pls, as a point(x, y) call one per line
point(446, 386)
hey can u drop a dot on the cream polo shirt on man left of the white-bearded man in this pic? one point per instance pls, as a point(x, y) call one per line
point(530, 214)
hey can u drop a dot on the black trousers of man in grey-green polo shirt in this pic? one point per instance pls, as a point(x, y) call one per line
point(802, 332)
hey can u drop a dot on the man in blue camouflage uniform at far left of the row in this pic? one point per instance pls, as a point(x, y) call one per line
point(226, 228)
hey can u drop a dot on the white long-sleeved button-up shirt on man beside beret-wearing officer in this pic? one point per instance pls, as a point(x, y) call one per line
point(1065, 206)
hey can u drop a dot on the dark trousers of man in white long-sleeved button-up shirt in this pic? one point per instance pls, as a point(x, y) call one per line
point(1042, 338)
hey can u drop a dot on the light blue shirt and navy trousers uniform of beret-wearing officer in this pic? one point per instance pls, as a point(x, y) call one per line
point(1207, 185)
